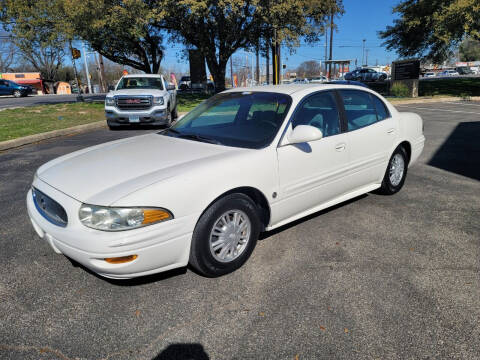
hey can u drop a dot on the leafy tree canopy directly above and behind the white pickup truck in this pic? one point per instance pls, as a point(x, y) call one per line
point(126, 32)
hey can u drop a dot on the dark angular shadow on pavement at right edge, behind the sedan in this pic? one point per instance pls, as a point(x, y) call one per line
point(460, 153)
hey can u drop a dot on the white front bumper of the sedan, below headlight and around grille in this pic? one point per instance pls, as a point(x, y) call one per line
point(158, 247)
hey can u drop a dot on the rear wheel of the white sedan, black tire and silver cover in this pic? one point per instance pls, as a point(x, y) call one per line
point(392, 184)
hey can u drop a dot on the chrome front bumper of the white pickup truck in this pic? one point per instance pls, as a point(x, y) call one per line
point(156, 115)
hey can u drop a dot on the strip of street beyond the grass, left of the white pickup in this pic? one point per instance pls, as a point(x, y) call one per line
point(8, 102)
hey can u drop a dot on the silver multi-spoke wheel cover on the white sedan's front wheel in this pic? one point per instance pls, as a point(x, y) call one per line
point(230, 235)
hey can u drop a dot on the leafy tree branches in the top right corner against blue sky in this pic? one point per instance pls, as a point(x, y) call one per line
point(432, 28)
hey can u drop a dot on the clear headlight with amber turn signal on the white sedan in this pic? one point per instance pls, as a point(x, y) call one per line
point(117, 219)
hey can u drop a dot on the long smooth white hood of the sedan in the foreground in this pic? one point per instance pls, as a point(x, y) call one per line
point(103, 174)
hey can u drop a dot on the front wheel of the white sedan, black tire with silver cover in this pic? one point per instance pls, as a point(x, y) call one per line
point(239, 241)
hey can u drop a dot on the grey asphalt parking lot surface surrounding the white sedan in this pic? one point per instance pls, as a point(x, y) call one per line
point(378, 277)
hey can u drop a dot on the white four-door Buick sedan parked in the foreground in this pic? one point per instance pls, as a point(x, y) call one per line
point(245, 161)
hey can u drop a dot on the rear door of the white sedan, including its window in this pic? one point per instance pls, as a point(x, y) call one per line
point(372, 132)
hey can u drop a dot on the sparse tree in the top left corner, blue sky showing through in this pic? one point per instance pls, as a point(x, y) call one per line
point(37, 36)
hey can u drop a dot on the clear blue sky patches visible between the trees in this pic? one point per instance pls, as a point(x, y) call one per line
point(362, 20)
